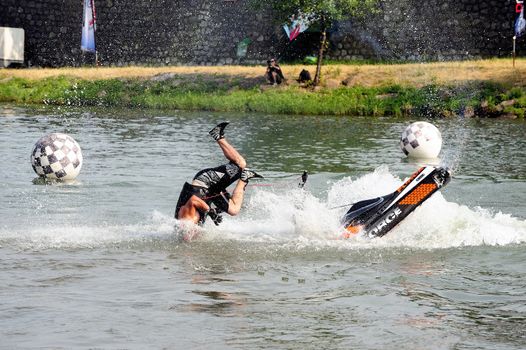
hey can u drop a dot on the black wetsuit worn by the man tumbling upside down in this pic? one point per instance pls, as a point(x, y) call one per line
point(209, 185)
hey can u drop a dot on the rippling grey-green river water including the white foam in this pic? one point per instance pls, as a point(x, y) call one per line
point(99, 263)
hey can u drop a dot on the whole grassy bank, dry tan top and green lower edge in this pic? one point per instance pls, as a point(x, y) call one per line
point(478, 88)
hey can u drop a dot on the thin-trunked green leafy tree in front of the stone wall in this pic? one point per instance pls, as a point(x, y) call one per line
point(324, 13)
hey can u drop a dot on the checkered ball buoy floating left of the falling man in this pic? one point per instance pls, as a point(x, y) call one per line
point(57, 156)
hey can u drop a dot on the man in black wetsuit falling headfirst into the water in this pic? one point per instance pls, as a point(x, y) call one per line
point(209, 186)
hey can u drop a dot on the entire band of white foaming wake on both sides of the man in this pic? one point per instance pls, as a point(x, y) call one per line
point(295, 219)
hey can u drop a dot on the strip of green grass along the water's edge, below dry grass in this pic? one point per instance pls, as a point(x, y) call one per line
point(215, 93)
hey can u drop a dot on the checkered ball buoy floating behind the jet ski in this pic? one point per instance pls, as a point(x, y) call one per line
point(421, 140)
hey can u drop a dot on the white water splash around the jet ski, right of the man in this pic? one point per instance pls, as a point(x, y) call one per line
point(297, 217)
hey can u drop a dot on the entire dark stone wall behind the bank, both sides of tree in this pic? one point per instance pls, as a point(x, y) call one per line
point(159, 32)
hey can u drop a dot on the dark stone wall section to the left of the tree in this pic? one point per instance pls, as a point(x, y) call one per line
point(141, 32)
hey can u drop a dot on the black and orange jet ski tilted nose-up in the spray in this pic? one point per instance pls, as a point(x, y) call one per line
point(376, 217)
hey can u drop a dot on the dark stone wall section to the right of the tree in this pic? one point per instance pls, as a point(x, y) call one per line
point(422, 30)
